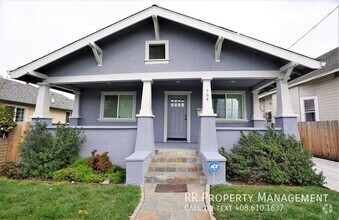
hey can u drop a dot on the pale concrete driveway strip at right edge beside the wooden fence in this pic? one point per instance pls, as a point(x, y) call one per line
point(330, 170)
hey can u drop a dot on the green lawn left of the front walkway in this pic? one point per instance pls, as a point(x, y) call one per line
point(28, 200)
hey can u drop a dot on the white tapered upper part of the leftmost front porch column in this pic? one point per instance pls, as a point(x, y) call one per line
point(42, 104)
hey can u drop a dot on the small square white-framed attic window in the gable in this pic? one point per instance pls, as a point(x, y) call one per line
point(156, 52)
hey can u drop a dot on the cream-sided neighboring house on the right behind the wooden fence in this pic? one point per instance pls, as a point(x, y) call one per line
point(314, 96)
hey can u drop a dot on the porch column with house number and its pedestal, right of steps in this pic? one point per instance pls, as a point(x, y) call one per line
point(208, 137)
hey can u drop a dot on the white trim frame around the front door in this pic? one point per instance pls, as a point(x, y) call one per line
point(188, 121)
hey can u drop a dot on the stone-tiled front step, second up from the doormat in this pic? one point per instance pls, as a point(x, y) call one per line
point(175, 167)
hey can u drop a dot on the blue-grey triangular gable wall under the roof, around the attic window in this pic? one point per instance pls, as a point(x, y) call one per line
point(189, 50)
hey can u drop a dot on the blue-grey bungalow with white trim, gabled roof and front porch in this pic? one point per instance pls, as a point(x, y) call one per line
point(160, 79)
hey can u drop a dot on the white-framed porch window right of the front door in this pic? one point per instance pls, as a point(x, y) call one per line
point(228, 105)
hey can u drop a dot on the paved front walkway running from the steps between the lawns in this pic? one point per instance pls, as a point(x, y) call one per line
point(173, 206)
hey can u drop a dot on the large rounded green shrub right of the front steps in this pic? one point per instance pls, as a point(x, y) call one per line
point(271, 158)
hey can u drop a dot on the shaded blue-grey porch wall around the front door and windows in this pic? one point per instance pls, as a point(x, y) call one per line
point(90, 104)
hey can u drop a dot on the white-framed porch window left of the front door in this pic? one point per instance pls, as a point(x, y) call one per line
point(117, 105)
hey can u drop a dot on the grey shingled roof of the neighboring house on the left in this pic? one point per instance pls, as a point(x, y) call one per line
point(20, 92)
